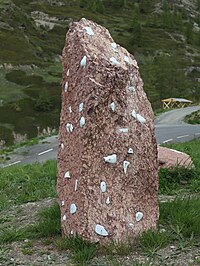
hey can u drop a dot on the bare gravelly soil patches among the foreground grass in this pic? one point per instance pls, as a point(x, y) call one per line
point(43, 252)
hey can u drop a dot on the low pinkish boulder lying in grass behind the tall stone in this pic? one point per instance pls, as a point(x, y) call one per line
point(169, 158)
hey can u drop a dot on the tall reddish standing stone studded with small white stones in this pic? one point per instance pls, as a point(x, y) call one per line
point(107, 160)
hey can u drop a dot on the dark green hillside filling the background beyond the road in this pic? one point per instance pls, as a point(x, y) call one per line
point(164, 36)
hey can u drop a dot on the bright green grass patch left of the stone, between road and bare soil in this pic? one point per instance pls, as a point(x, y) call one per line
point(27, 183)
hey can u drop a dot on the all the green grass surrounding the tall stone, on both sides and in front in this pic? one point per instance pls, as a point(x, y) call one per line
point(178, 223)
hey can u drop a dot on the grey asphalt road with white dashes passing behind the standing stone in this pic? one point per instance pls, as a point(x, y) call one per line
point(169, 128)
